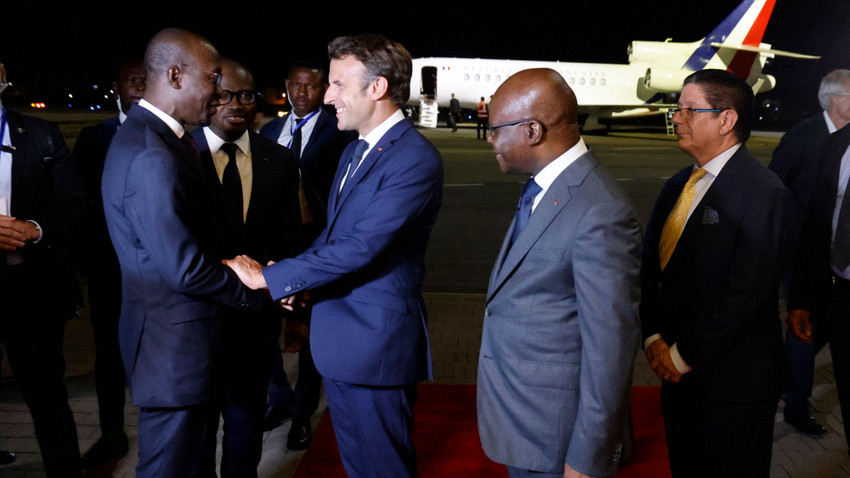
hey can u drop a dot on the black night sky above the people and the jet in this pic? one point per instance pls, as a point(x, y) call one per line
point(41, 43)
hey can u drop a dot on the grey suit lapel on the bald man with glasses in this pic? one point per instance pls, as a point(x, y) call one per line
point(554, 201)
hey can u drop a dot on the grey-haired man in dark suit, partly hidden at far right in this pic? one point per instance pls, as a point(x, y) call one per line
point(796, 161)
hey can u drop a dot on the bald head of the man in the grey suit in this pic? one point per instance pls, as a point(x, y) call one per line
point(547, 111)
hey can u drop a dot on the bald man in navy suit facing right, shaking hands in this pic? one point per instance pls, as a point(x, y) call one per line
point(168, 239)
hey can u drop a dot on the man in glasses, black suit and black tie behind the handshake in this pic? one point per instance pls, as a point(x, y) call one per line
point(263, 196)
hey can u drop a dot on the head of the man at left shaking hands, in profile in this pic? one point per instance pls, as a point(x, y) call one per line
point(183, 70)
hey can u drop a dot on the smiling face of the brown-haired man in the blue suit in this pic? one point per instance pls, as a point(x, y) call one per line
point(349, 94)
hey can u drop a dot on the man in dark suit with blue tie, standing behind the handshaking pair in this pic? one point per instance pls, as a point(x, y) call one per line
point(311, 133)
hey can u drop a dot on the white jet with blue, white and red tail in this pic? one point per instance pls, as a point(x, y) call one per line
point(655, 70)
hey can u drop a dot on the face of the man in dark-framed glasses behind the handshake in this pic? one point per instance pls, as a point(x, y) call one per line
point(233, 119)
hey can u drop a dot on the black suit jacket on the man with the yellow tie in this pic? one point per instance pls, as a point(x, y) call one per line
point(718, 296)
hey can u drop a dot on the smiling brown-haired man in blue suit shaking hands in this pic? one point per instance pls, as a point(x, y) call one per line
point(365, 271)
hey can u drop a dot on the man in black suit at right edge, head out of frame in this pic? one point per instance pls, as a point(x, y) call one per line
point(820, 283)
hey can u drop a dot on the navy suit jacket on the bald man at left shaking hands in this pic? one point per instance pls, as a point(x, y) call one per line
point(169, 244)
